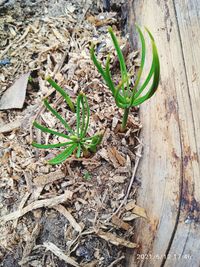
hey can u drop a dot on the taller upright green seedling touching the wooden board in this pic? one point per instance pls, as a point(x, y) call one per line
point(126, 97)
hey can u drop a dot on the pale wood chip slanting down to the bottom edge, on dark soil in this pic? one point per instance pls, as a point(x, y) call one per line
point(58, 252)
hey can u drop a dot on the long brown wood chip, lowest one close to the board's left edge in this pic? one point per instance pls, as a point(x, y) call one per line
point(118, 241)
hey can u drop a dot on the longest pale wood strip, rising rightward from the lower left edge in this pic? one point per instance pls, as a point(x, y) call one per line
point(49, 202)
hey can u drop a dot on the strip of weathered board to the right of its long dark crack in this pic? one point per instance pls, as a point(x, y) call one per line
point(187, 236)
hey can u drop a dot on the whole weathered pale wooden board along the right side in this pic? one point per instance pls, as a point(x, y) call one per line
point(170, 170)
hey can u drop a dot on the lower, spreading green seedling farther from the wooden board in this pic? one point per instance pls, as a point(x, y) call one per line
point(77, 140)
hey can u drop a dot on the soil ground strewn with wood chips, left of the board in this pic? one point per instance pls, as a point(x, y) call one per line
point(82, 212)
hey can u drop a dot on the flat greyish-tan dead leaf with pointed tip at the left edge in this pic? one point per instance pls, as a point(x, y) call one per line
point(15, 95)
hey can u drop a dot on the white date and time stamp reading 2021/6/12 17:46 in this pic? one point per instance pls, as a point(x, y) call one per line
point(153, 257)
